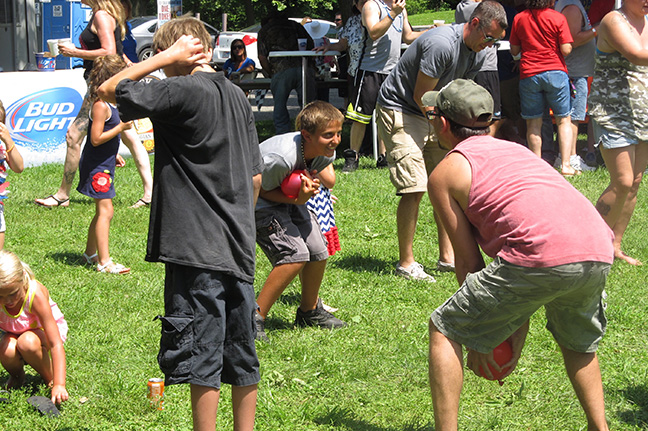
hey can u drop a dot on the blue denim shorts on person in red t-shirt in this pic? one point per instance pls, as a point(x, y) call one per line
point(551, 87)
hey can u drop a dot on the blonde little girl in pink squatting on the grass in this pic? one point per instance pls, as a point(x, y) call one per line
point(34, 328)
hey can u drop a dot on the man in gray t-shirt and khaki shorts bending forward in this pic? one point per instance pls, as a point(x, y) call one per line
point(432, 61)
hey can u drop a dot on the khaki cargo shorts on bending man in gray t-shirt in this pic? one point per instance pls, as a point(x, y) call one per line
point(412, 149)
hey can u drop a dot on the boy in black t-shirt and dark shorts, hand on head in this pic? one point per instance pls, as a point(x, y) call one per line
point(207, 178)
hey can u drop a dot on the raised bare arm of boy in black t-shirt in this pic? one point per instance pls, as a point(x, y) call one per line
point(186, 51)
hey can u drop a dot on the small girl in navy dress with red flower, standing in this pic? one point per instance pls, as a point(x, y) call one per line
point(97, 165)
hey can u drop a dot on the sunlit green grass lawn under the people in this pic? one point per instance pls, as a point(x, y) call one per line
point(371, 376)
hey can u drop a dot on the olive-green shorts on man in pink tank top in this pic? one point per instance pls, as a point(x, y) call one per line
point(494, 302)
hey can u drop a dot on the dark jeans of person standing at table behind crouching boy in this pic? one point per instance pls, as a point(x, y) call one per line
point(281, 85)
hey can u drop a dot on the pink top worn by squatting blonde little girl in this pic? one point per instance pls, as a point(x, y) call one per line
point(26, 320)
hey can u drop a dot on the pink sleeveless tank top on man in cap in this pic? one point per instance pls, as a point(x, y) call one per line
point(525, 212)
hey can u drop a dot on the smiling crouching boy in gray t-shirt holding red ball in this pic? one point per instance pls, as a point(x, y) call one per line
point(287, 232)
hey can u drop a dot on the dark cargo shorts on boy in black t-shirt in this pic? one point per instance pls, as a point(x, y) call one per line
point(208, 329)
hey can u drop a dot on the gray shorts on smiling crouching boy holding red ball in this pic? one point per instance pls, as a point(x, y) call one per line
point(289, 234)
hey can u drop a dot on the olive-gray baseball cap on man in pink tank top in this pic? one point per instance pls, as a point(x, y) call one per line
point(464, 102)
